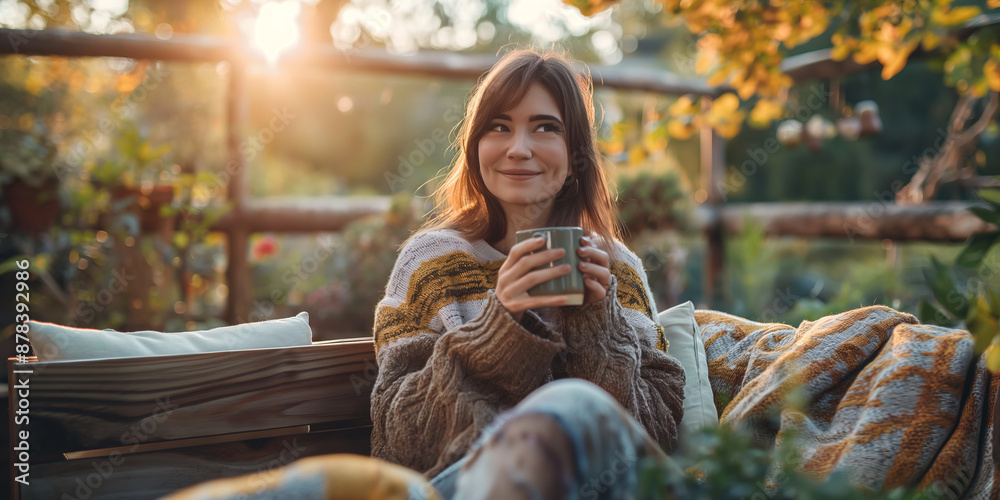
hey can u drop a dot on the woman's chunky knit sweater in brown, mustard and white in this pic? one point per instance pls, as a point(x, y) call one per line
point(451, 358)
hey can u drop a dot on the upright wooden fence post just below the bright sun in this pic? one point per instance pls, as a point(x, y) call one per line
point(237, 270)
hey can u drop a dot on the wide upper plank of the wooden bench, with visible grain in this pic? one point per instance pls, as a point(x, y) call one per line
point(83, 405)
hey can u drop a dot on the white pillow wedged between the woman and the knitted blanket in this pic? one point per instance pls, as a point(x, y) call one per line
point(681, 330)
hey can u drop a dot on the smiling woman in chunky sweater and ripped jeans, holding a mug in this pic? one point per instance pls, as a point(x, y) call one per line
point(461, 344)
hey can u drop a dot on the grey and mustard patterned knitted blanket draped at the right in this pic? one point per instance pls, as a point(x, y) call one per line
point(889, 401)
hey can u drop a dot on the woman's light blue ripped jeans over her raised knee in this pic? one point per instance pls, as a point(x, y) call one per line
point(607, 442)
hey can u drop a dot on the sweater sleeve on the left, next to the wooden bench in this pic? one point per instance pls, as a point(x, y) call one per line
point(436, 387)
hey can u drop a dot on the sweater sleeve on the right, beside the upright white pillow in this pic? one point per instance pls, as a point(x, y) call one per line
point(616, 347)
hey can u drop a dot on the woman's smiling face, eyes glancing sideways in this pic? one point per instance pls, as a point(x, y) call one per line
point(524, 158)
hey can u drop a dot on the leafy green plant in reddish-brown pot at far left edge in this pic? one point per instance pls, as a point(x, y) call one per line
point(28, 181)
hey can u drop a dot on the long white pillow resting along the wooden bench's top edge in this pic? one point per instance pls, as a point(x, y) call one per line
point(53, 342)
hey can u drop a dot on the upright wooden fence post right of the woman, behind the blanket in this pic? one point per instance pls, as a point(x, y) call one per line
point(712, 166)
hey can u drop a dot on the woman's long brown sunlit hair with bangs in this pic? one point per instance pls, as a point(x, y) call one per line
point(464, 203)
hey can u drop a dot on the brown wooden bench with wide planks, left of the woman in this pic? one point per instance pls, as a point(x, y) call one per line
point(134, 428)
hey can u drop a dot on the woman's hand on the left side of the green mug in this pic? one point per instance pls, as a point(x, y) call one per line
point(517, 275)
